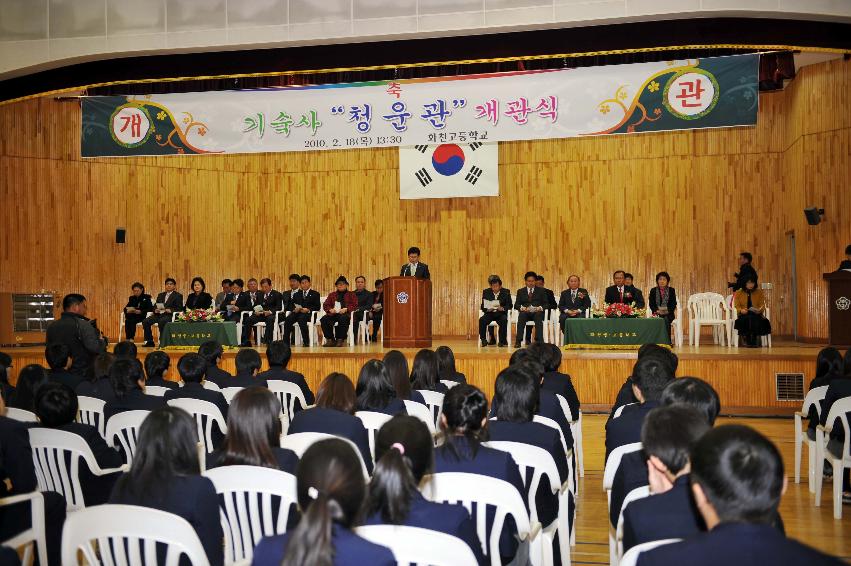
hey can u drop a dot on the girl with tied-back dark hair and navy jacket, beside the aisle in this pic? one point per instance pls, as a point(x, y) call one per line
point(463, 424)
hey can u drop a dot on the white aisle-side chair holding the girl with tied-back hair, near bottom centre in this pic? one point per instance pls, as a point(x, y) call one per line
point(484, 491)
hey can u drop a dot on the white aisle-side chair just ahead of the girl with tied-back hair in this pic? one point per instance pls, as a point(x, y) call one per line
point(541, 463)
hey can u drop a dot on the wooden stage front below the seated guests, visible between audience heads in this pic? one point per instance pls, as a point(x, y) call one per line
point(744, 377)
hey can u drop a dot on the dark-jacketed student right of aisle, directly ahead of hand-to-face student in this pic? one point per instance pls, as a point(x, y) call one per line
point(649, 377)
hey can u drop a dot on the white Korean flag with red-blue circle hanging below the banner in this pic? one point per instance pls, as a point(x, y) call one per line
point(449, 170)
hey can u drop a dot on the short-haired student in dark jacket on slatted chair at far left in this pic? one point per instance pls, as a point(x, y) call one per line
point(56, 408)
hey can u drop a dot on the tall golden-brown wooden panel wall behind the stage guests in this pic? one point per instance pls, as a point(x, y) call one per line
point(684, 202)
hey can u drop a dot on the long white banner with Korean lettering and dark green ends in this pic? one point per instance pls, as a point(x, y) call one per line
point(537, 104)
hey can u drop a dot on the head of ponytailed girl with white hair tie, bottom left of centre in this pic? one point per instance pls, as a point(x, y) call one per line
point(331, 489)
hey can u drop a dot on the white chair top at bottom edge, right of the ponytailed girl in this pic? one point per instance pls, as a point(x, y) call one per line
point(413, 545)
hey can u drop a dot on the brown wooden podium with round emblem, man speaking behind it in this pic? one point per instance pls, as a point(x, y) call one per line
point(407, 312)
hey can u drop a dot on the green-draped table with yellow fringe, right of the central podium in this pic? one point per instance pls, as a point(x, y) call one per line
point(614, 333)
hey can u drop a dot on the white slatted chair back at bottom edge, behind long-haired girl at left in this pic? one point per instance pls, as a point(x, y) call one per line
point(128, 535)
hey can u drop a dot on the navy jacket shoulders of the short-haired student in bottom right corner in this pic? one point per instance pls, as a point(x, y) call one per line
point(742, 544)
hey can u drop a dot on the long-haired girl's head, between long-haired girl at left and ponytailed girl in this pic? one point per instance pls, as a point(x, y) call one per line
point(253, 429)
